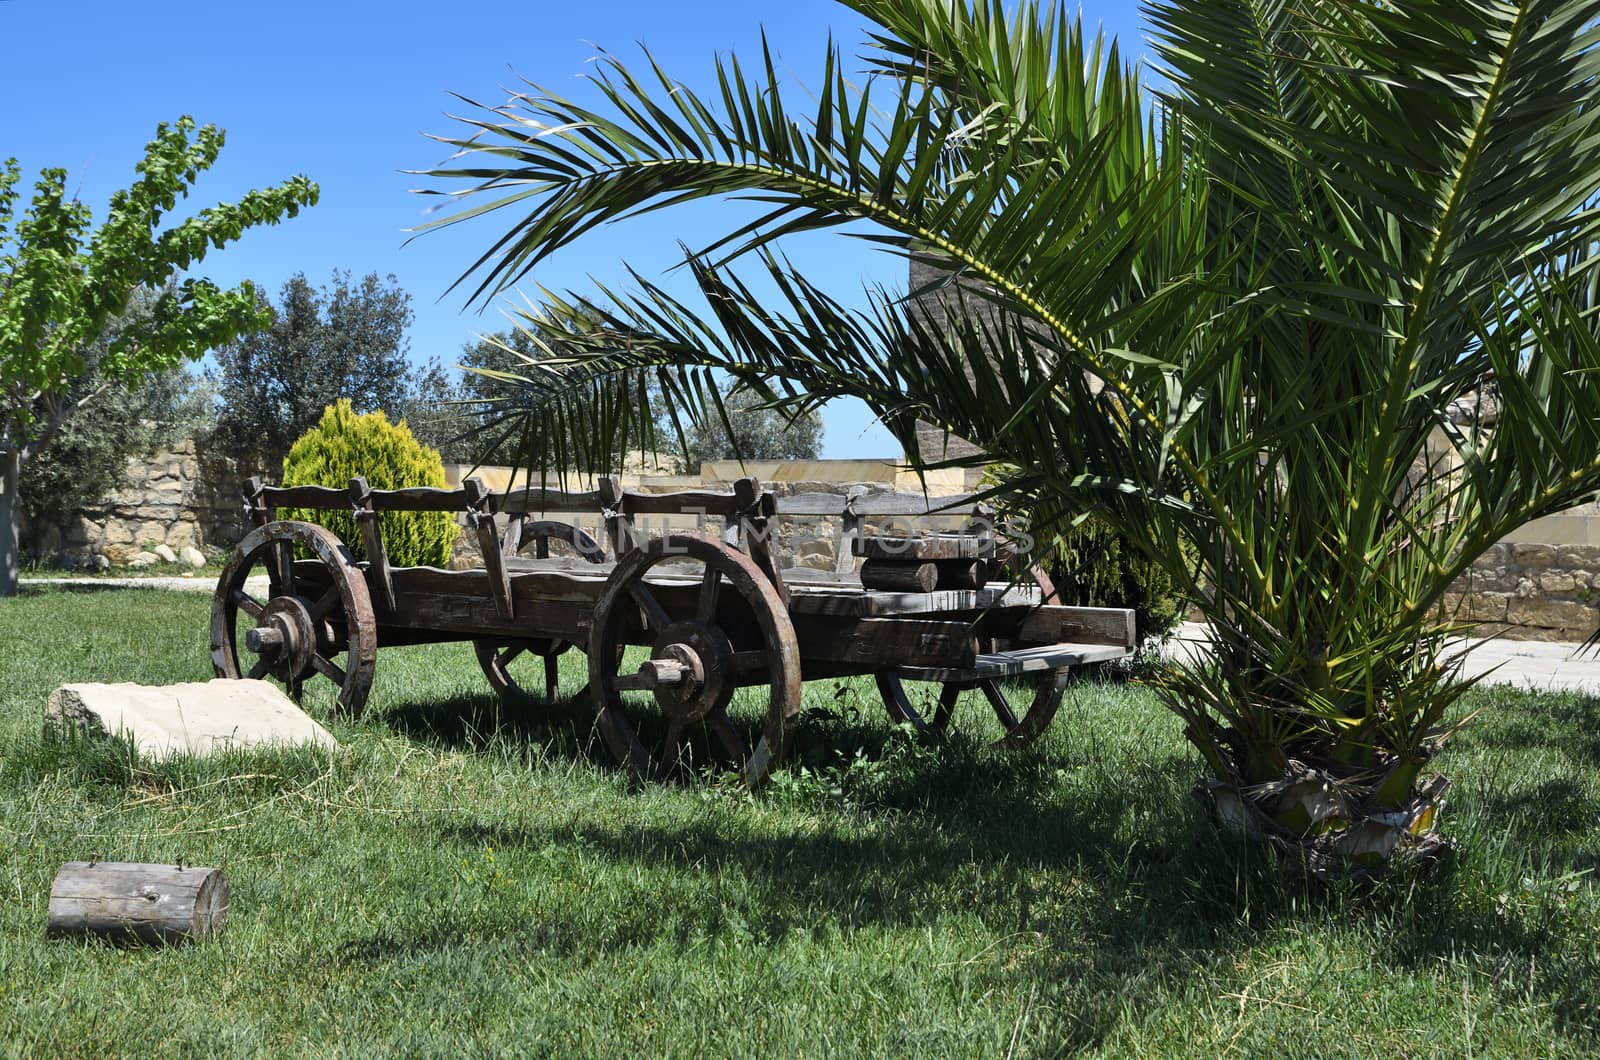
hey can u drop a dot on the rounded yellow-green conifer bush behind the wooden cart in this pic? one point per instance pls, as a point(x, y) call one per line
point(345, 446)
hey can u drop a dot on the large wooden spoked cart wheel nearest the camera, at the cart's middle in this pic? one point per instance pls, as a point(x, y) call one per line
point(705, 643)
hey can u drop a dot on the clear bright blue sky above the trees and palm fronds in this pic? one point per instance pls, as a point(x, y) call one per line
point(345, 94)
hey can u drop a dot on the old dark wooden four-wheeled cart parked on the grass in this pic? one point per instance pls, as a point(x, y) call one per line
point(714, 608)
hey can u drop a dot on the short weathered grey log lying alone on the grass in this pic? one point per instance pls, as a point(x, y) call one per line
point(129, 902)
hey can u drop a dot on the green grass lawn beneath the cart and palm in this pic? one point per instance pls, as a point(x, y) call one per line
point(465, 880)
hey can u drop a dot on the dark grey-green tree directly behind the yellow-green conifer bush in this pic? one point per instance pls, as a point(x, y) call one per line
point(343, 342)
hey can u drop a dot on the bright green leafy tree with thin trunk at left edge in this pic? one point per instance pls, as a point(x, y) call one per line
point(62, 284)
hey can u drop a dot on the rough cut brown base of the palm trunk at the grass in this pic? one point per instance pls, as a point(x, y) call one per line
point(1345, 837)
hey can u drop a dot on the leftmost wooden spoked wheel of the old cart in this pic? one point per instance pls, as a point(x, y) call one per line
point(314, 611)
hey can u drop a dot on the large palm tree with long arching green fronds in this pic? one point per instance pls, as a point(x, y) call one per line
point(1233, 318)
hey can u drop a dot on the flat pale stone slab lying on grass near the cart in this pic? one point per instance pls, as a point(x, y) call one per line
point(196, 718)
